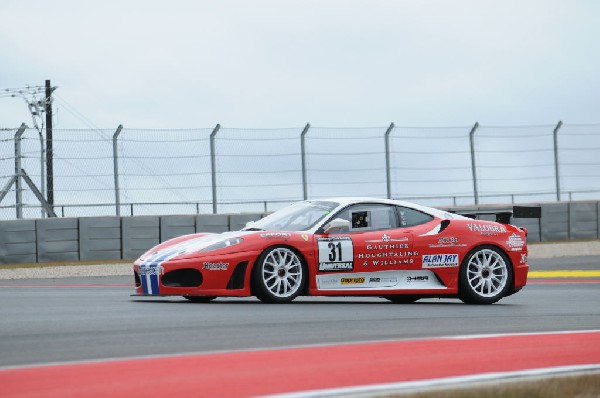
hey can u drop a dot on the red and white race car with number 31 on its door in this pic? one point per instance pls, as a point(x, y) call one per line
point(344, 247)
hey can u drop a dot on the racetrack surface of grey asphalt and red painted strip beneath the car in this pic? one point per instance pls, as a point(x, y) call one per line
point(44, 322)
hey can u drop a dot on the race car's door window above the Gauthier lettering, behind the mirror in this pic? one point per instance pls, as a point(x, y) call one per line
point(369, 217)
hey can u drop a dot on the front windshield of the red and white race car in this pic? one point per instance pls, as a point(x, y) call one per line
point(300, 216)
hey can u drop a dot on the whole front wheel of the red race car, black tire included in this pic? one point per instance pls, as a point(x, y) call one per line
point(279, 275)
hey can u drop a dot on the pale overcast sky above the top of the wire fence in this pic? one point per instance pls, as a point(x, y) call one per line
point(267, 63)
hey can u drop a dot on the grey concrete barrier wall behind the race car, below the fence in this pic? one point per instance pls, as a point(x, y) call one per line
point(116, 238)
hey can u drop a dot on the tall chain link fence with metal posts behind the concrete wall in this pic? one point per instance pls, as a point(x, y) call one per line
point(147, 172)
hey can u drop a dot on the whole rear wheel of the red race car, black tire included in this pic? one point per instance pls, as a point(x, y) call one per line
point(485, 276)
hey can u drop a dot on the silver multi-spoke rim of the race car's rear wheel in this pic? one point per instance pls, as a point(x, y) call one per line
point(487, 273)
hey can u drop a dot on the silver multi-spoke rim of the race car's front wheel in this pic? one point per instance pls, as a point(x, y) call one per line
point(282, 272)
